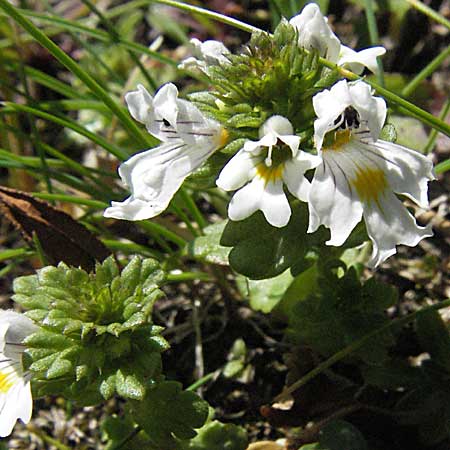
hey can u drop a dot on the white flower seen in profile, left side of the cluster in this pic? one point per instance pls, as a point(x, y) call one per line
point(188, 139)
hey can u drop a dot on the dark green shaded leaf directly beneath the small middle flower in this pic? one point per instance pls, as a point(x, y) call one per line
point(262, 251)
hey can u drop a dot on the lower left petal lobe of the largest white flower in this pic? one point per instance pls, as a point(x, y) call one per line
point(332, 201)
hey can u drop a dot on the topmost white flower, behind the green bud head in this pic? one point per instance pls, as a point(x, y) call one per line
point(315, 33)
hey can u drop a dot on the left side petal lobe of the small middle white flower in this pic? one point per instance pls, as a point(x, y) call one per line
point(239, 170)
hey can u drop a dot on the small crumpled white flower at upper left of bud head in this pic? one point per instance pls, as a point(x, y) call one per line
point(206, 54)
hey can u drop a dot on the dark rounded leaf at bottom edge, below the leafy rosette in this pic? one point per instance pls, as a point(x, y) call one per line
point(167, 412)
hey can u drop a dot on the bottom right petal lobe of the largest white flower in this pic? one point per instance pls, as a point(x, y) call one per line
point(389, 224)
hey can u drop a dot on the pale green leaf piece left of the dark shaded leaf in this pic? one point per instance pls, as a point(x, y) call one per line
point(207, 248)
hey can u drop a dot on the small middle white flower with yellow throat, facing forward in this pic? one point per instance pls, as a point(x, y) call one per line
point(265, 165)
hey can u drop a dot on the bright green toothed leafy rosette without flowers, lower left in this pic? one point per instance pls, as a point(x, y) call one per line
point(96, 337)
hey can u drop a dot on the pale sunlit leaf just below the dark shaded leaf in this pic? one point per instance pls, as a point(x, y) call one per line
point(264, 295)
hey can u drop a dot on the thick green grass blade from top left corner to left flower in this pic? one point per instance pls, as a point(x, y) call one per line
point(71, 65)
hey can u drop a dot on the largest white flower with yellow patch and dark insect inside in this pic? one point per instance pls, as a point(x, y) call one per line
point(360, 174)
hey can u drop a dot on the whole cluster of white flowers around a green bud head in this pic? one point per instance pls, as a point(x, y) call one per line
point(336, 162)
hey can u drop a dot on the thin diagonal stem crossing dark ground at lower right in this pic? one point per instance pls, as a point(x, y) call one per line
point(356, 346)
